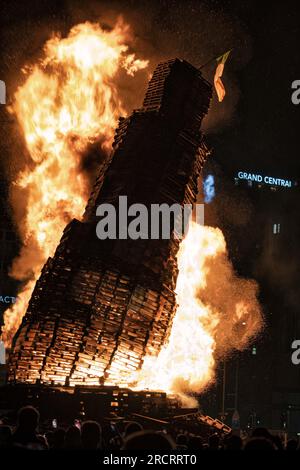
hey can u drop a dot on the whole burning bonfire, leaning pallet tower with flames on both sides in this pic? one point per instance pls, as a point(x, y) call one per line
point(68, 102)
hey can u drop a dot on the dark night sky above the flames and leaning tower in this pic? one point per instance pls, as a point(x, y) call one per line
point(256, 126)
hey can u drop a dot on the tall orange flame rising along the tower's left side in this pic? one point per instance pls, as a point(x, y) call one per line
point(68, 101)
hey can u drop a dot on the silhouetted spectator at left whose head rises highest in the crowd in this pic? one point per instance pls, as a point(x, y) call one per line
point(26, 435)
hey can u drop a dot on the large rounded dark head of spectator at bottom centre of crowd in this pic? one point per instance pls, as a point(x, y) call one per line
point(149, 440)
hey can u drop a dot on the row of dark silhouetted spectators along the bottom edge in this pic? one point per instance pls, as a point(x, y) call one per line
point(29, 433)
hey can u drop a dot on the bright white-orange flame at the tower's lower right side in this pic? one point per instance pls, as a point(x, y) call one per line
point(212, 318)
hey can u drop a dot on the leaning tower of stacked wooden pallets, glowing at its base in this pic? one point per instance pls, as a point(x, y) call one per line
point(100, 306)
